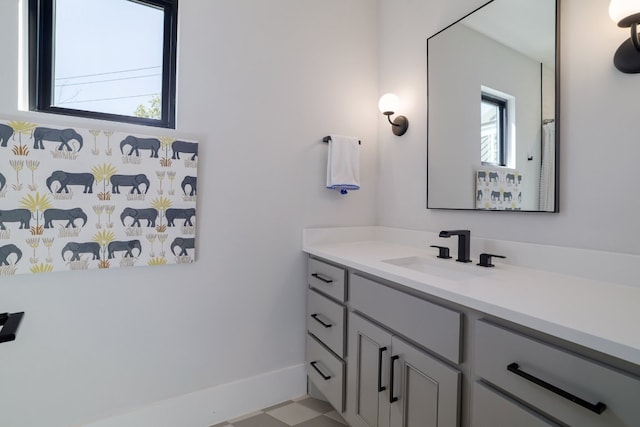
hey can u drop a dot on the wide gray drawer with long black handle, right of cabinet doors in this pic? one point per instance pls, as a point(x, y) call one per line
point(503, 357)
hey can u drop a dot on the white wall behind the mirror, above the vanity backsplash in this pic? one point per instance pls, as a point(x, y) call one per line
point(599, 144)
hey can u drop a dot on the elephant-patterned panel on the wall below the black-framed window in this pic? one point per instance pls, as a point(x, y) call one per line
point(76, 199)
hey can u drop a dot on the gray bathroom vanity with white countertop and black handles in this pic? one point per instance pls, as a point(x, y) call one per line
point(397, 337)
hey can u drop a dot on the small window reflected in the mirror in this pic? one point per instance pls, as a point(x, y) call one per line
point(493, 130)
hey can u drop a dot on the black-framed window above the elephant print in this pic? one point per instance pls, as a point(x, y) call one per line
point(104, 59)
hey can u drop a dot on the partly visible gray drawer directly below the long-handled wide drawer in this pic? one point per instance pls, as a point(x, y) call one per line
point(492, 409)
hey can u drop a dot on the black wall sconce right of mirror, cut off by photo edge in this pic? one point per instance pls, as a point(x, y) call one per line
point(626, 13)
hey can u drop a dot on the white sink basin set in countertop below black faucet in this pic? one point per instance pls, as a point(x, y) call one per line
point(446, 269)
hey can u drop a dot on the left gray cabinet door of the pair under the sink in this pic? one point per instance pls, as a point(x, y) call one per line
point(369, 350)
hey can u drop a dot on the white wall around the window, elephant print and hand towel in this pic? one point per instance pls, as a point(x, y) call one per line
point(260, 84)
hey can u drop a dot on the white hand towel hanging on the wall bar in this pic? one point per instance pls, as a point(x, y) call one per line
point(343, 164)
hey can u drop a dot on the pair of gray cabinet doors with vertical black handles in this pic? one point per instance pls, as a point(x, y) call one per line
point(392, 383)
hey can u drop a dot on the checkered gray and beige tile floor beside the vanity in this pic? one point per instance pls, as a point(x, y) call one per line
point(302, 412)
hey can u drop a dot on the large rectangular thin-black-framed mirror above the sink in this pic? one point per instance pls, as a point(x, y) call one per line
point(492, 109)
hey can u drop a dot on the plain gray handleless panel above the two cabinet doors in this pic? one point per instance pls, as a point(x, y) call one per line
point(430, 325)
